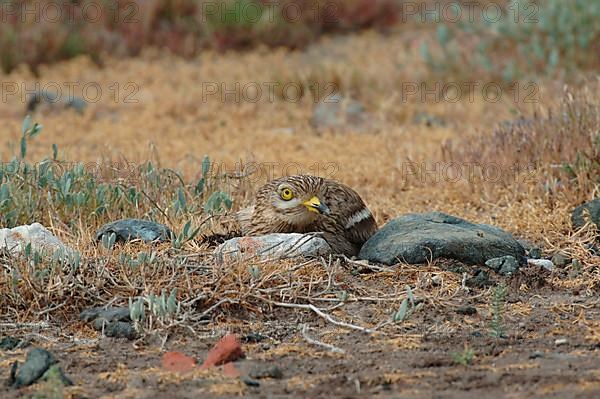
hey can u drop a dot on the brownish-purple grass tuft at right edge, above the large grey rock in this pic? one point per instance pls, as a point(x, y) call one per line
point(554, 154)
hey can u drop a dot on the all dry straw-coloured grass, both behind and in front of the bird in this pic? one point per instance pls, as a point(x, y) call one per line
point(174, 126)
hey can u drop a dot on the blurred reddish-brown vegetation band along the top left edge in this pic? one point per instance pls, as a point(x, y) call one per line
point(47, 31)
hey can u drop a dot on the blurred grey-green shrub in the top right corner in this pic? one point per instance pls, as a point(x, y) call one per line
point(549, 38)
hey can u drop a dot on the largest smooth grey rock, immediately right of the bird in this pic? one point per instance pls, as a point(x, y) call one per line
point(418, 238)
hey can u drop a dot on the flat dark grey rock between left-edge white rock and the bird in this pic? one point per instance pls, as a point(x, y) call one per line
point(134, 229)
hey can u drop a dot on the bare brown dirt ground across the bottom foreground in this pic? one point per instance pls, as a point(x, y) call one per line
point(550, 349)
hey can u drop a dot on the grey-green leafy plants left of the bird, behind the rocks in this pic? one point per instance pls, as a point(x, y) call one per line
point(75, 194)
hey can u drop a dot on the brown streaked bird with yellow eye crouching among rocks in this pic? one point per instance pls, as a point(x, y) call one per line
point(339, 212)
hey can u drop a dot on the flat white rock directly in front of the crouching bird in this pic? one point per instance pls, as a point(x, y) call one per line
point(272, 246)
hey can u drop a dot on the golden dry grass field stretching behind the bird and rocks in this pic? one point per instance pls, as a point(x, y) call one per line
point(175, 126)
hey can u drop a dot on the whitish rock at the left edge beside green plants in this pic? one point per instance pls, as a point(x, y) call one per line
point(16, 239)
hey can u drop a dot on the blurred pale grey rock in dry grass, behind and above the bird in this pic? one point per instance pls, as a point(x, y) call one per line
point(338, 112)
